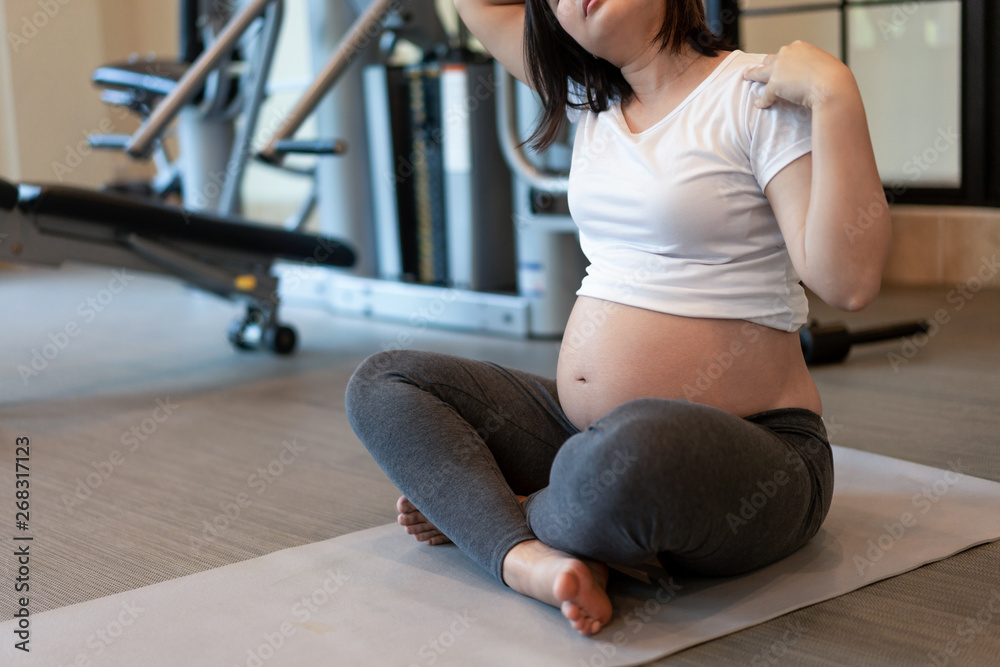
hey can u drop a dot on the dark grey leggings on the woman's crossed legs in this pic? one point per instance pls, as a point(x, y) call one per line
point(698, 488)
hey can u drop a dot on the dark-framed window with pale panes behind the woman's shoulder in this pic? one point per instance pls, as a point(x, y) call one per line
point(929, 74)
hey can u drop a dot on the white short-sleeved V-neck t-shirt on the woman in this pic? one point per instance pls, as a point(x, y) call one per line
point(674, 218)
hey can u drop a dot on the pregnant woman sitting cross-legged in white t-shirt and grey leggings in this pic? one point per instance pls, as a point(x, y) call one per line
point(682, 423)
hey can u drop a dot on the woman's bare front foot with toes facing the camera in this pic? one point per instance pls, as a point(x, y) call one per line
point(575, 586)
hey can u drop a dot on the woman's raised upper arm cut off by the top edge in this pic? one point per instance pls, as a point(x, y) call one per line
point(499, 25)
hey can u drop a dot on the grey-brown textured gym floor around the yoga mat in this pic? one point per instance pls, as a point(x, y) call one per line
point(140, 365)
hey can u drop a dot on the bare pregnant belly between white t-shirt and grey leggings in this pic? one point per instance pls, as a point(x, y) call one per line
point(612, 353)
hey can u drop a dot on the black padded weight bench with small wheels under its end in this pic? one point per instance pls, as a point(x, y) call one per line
point(229, 257)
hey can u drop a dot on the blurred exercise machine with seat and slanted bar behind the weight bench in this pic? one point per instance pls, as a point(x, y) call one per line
point(220, 75)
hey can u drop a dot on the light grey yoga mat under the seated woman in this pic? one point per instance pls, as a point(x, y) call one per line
point(377, 597)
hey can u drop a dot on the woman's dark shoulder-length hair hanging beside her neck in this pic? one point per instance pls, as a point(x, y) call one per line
point(552, 58)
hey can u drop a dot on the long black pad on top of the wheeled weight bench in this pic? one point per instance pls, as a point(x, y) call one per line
point(158, 221)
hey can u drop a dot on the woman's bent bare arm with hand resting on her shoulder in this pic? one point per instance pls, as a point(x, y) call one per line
point(829, 204)
